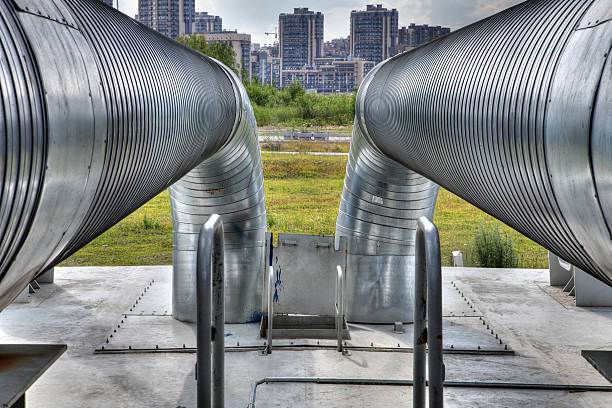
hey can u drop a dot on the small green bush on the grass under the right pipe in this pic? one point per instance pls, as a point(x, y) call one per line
point(493, 249)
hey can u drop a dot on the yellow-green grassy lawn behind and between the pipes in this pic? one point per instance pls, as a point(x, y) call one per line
point(302, 196)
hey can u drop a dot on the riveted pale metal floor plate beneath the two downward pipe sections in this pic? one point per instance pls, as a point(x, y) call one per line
point(465, 330)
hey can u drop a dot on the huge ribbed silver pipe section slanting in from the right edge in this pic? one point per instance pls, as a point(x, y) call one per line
point(512, 114)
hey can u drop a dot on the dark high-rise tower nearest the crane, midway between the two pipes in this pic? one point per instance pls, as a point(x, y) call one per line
point(301, 38)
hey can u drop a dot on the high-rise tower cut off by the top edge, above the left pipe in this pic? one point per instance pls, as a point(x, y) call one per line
point(169, 17)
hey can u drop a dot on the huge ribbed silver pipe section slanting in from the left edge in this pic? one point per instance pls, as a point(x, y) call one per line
point(99, 115)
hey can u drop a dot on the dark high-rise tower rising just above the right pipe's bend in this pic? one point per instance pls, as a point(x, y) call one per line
point(374, 33)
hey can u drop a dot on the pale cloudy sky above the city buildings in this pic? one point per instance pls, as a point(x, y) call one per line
point(256, 17)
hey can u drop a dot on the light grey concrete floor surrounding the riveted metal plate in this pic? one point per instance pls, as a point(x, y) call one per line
point(543, 327)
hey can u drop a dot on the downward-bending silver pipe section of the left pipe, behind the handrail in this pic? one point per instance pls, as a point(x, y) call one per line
point(230, 184)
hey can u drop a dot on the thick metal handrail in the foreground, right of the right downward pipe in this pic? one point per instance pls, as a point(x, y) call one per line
point(428, 305)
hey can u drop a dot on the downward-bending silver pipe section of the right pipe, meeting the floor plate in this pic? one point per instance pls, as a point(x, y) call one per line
point(381, 203)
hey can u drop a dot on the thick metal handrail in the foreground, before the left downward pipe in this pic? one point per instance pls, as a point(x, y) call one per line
point(210, 300)
